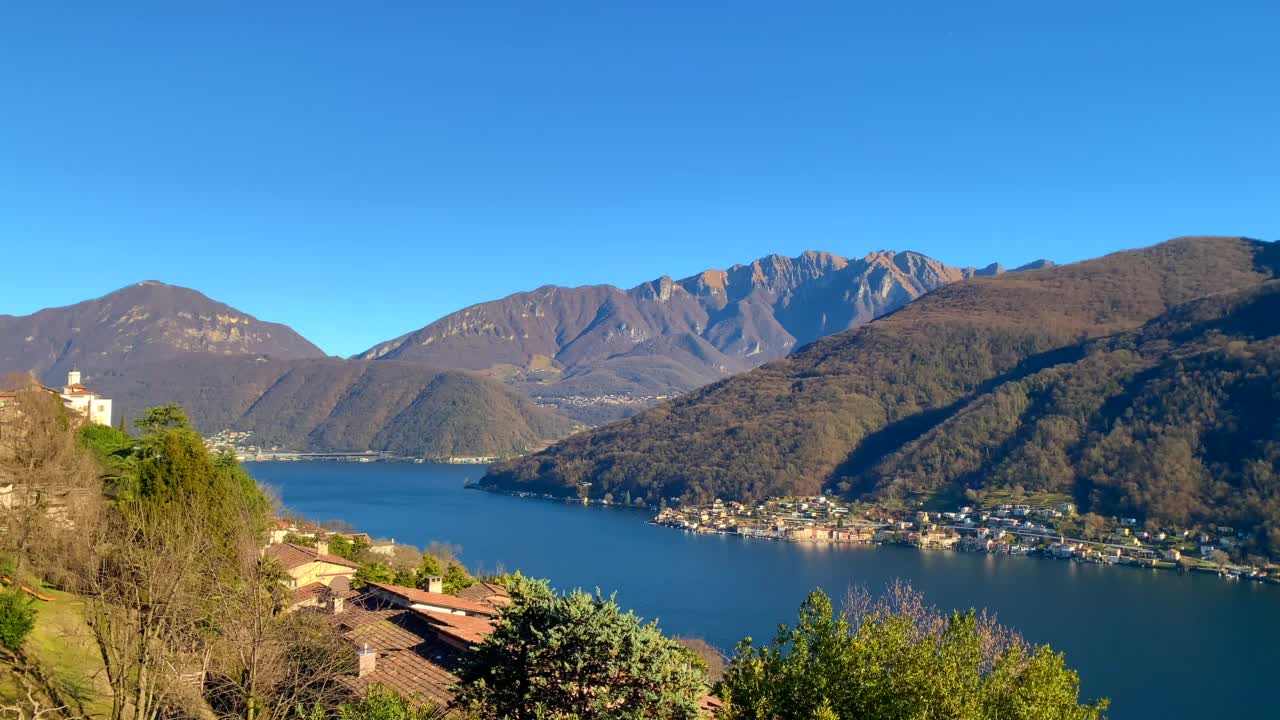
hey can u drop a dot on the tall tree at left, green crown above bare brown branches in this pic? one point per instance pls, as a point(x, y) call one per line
point(167, 566)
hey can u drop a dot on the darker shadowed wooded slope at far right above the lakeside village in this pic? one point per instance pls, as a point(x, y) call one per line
point(1178, 422)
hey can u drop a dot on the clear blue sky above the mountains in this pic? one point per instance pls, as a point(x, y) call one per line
point(360, 170)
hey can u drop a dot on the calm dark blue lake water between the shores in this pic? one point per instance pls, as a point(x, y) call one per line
point(1158, 644)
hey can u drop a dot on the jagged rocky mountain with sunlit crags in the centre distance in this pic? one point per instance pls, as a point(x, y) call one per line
point(601, 352)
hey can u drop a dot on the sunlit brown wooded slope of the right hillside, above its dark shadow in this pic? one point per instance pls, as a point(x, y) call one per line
point(793, 426)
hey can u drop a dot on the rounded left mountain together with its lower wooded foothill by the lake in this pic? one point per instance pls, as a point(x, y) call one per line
point(153, 344)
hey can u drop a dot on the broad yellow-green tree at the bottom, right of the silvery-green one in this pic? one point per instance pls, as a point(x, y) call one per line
point(899, 659)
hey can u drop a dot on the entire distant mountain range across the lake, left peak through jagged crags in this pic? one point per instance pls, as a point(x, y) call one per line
point(463, 385)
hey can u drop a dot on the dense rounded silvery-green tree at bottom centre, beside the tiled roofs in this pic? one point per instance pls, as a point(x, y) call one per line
point(577, 657)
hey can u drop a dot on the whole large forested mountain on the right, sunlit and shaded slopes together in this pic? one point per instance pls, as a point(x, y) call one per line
point(1144, 384)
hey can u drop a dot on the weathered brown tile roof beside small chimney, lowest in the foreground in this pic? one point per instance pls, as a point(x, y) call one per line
point(409, 658)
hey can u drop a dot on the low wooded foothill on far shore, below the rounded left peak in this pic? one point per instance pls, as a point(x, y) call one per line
point(341, 405)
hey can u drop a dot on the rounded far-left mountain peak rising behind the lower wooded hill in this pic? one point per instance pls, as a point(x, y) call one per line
point(140, 323)
